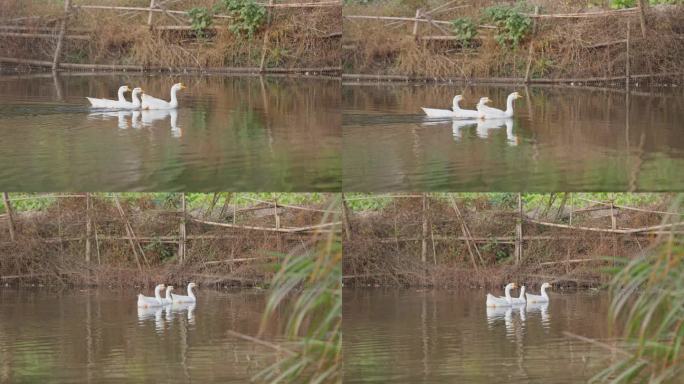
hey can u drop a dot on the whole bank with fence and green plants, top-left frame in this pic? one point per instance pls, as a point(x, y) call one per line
point(190, 33)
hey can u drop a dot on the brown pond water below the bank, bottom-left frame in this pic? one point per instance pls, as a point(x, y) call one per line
point(101, 336)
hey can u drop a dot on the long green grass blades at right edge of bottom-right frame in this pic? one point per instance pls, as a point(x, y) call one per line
point(648, 293)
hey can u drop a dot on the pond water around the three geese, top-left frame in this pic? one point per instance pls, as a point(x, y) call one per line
point(229, 133)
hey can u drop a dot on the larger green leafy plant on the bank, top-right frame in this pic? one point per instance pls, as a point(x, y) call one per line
point(512, 25)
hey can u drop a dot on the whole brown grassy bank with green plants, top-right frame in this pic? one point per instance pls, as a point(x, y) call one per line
point(494, 39)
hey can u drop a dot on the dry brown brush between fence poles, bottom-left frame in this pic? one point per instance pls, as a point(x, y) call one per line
point(50, 245)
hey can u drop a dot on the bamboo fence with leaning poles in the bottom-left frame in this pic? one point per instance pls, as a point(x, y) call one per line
point(181, 238)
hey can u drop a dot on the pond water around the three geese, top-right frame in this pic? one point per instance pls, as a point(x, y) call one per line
point(560, 139)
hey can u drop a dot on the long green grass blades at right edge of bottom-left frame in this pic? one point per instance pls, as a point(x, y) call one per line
point(314, 279)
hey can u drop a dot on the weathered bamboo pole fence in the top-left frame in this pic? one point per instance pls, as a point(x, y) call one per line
point(156, 7)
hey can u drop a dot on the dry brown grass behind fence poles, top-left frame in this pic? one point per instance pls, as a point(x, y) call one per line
point(298, 38)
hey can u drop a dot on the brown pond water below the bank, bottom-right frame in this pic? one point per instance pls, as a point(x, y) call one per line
point(434, 336)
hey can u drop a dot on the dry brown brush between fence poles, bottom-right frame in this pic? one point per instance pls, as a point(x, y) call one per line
point(378, 255)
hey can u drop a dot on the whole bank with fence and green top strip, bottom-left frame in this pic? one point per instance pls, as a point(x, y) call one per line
point(143, 238)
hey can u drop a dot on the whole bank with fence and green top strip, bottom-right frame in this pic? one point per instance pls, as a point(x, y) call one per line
point(567, 239)
